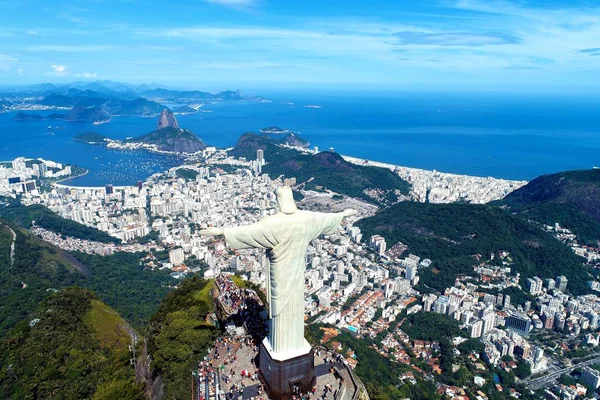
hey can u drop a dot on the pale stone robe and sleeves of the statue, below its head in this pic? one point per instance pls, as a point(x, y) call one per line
point(286, 238)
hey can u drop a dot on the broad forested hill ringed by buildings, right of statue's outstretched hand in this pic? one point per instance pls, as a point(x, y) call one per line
point(452, 234)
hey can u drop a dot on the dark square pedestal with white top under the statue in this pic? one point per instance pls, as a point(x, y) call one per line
point(287, 374)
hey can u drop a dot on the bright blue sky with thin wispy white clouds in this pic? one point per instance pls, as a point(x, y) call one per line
point(269, 44)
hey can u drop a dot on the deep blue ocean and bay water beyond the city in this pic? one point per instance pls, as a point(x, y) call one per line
point(505, 136)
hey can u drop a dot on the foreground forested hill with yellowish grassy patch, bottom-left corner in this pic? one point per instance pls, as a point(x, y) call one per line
point(76, 348)
